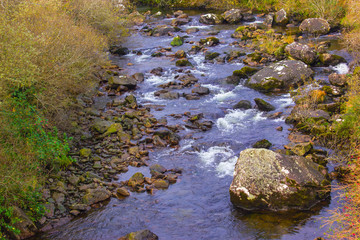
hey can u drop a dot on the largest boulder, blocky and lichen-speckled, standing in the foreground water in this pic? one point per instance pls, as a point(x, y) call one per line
point(265, 180)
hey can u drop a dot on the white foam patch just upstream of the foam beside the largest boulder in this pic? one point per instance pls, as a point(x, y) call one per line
point(239, 119)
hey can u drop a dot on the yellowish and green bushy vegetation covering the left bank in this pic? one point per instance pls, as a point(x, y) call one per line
point(49, 53)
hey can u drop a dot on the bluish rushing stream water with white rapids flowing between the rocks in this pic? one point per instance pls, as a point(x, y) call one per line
point(198, 205)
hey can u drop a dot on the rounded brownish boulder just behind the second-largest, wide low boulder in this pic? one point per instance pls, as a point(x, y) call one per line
point(301, 52)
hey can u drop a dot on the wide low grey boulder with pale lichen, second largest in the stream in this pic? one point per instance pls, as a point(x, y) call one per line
point(281, 75)
